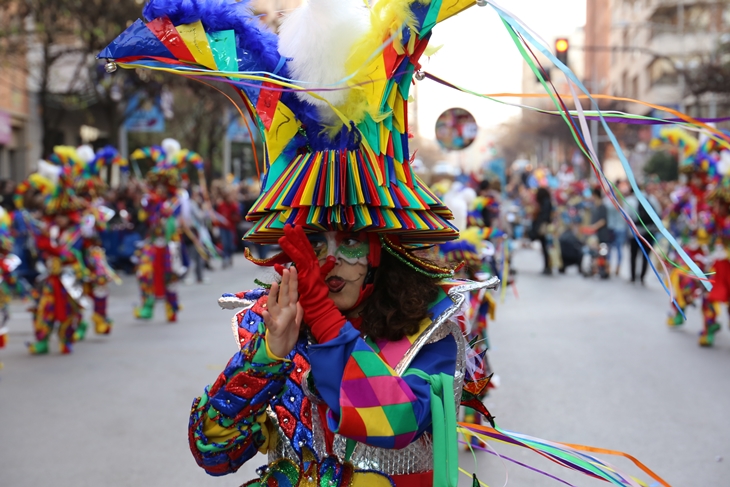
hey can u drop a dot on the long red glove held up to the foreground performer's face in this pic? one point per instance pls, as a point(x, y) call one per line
point(320, 312)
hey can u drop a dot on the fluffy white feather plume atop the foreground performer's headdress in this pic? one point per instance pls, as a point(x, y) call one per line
point(318, 39)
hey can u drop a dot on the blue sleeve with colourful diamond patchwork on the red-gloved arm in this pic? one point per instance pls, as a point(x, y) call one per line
point(368, 402)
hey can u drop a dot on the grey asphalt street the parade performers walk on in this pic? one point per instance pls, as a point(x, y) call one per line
point(580, 361)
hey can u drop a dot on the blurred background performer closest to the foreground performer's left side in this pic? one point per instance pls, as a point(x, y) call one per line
point(160, 259)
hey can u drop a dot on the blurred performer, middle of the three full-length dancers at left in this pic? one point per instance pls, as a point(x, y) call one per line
point(90, 186)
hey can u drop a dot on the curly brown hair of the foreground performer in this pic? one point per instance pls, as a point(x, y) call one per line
point(400, 300)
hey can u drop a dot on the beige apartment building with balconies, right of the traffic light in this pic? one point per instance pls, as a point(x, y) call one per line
point(654, 41)
